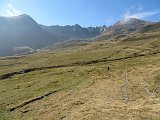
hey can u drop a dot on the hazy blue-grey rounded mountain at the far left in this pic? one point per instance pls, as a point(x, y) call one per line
point(21, 31)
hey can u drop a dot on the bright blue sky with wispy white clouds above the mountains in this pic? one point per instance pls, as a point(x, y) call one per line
point(82, 12)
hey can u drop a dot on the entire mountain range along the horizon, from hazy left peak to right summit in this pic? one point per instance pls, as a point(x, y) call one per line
point(23, 33)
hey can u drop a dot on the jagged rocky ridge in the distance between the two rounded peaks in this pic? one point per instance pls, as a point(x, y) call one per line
point(74, 32)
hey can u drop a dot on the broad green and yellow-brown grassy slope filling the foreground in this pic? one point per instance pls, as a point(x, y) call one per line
point(129, 90)
